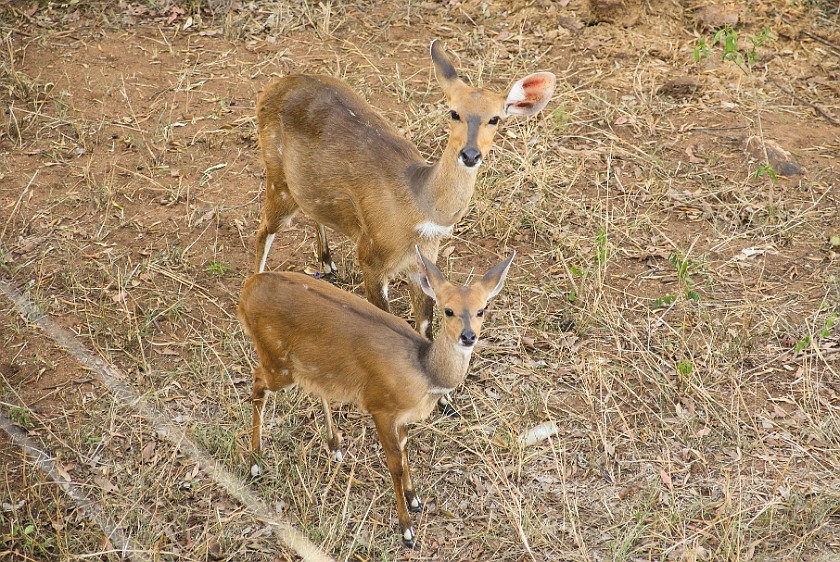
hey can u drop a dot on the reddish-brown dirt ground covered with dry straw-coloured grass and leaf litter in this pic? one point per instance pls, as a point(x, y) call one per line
point(673, 309)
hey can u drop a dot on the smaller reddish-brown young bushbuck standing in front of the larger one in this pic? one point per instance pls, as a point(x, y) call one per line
point(339, 347)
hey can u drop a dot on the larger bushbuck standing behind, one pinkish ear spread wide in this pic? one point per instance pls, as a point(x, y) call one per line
point(327, 151)
